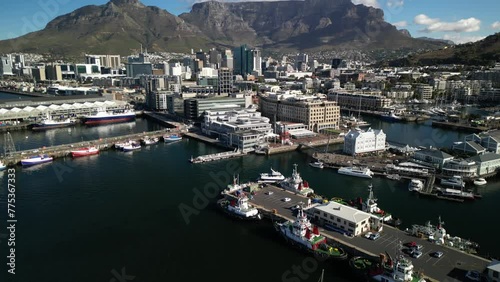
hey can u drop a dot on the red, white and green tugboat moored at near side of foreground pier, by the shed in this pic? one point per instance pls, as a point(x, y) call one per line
point(302, 234)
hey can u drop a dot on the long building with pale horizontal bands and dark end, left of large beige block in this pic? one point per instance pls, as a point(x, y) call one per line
point(194, 108)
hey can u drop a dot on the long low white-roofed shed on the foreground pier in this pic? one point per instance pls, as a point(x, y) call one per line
point(342, 218)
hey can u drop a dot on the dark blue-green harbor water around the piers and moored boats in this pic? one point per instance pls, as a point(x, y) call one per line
point(150, 213)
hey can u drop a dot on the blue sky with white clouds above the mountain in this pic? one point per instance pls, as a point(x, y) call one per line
point(457, 20)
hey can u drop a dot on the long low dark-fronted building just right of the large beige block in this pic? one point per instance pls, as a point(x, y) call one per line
point(358, 101)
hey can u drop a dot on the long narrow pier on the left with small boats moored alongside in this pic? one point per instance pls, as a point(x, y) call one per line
point(61, 151)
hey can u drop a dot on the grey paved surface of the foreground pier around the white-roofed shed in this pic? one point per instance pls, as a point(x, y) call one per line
point(451, 267)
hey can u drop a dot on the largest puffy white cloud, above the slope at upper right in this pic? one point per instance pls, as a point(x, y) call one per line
point(435, 25)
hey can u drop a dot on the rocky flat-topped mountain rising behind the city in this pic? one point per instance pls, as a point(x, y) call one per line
point(122, 25)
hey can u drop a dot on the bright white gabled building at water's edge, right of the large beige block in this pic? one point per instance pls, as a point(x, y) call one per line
point(360, 142)
